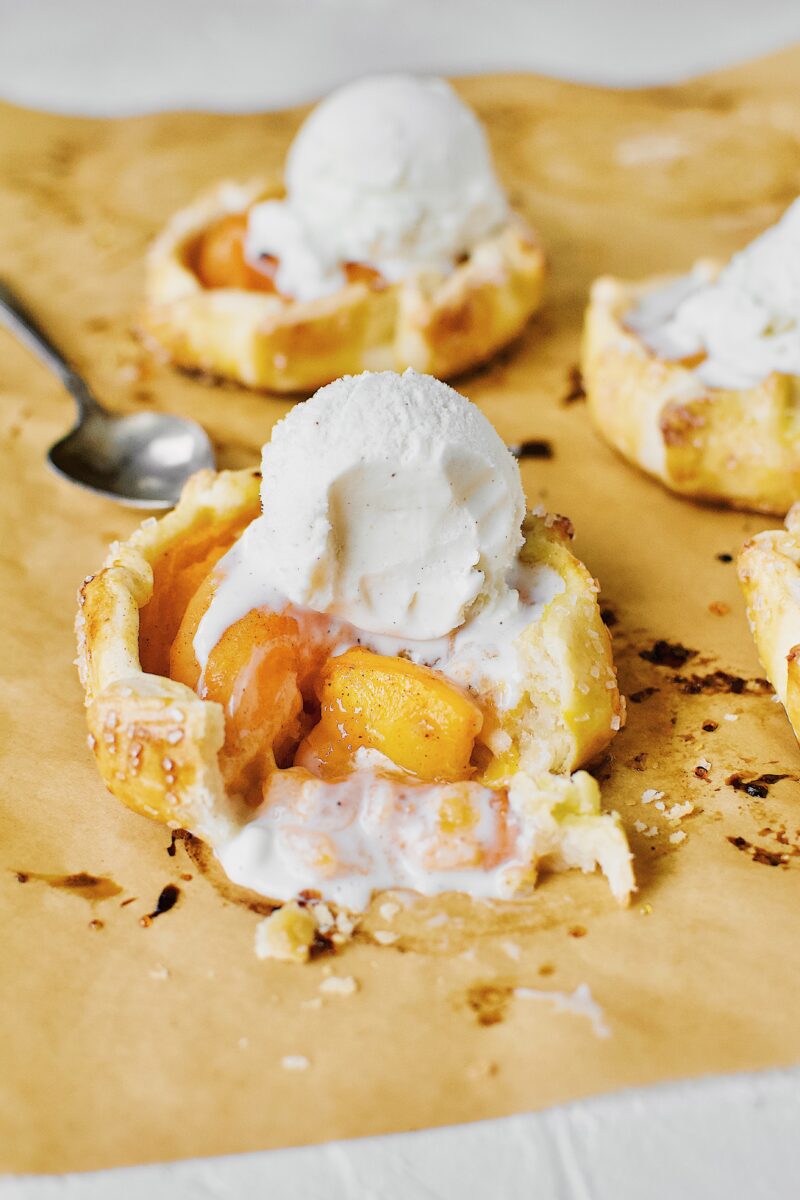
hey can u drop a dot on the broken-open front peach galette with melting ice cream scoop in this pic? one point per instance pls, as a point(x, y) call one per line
point(384, 675)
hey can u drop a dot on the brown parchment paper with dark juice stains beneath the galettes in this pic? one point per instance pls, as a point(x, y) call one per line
point(127, 1043)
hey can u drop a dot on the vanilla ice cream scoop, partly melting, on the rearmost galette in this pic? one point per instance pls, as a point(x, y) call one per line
point(394, 172)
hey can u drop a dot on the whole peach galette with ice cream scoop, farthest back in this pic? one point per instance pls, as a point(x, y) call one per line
point(393, 245)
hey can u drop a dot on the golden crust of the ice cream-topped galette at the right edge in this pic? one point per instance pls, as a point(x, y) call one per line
point(737, 448)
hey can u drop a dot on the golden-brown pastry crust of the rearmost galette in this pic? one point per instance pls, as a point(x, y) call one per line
point(437, 325)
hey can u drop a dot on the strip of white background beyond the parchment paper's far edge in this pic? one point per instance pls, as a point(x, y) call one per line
point(133, 56)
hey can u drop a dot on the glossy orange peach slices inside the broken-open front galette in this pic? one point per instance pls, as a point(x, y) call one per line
point(286, 699)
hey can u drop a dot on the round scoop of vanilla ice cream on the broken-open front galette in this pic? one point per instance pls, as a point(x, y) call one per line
point(392, 503)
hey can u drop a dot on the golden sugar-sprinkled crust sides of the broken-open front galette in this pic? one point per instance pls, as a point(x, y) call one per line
point(158, 743)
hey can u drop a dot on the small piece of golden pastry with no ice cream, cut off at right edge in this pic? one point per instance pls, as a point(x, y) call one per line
point(769, 573)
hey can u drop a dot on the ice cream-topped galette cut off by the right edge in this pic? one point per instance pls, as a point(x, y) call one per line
point(697, 380)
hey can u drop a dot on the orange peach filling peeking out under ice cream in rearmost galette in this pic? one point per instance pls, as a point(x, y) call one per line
point(219, 261)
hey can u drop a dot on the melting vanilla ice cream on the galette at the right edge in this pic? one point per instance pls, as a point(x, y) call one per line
point(747, 321)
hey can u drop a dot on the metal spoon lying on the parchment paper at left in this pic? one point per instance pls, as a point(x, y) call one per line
point(142, 461)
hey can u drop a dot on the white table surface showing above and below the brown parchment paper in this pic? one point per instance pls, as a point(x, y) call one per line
point(737, 1137)
